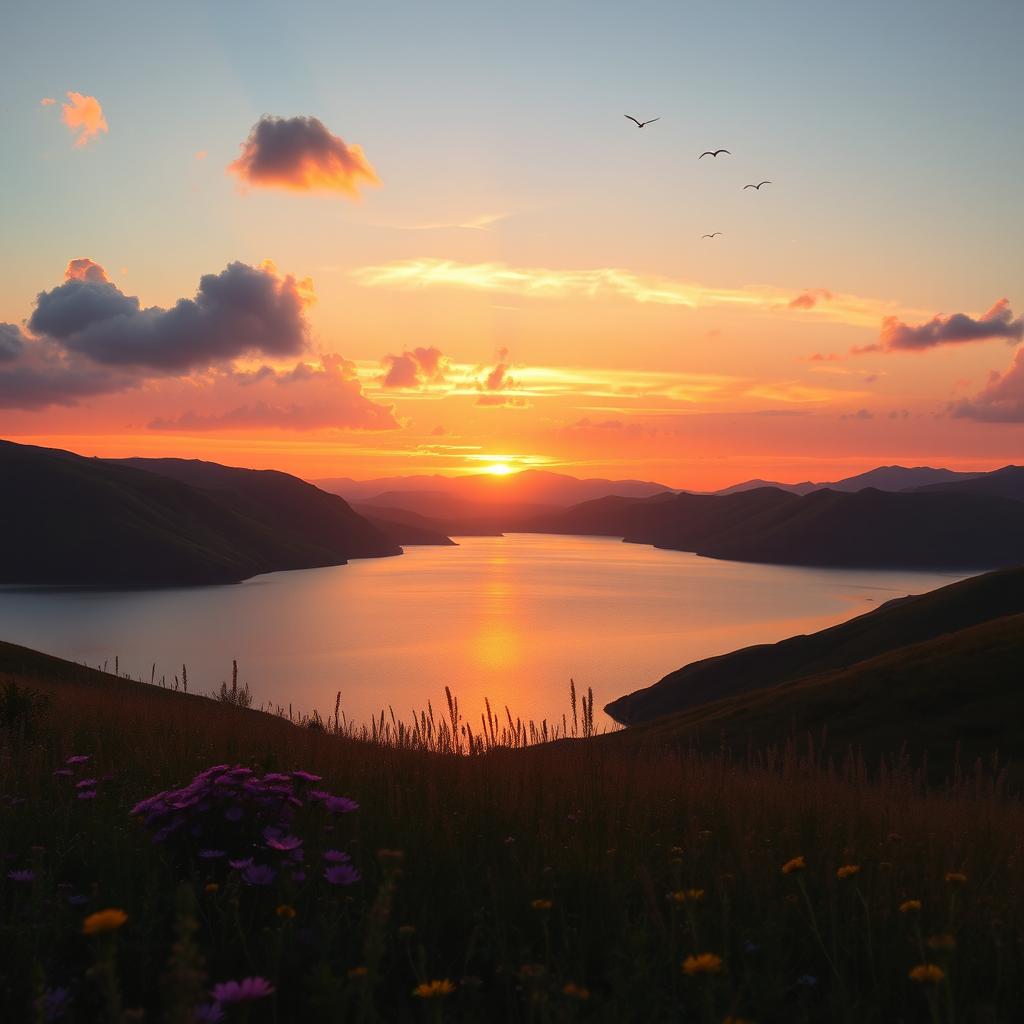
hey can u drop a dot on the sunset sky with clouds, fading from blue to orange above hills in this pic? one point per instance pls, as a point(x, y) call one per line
point(362, 241)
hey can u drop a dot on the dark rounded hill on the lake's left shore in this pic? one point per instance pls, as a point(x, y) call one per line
point(66, 520)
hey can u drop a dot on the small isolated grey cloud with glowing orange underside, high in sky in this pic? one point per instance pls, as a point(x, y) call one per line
point(301, 155)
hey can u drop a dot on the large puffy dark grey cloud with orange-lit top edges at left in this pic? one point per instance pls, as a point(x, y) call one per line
point(243, 310)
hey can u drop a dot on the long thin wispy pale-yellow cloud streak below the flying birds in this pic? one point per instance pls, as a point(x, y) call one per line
point(545, 283)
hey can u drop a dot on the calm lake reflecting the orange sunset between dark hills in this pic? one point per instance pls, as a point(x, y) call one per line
point(511, 619)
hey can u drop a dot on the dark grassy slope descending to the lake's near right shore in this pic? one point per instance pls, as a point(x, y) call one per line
point(937, 673)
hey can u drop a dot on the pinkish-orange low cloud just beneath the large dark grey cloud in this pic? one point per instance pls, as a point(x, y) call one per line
point(327, 395)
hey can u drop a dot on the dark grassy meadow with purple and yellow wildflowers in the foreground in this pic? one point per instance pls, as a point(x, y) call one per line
point(608, 879)
